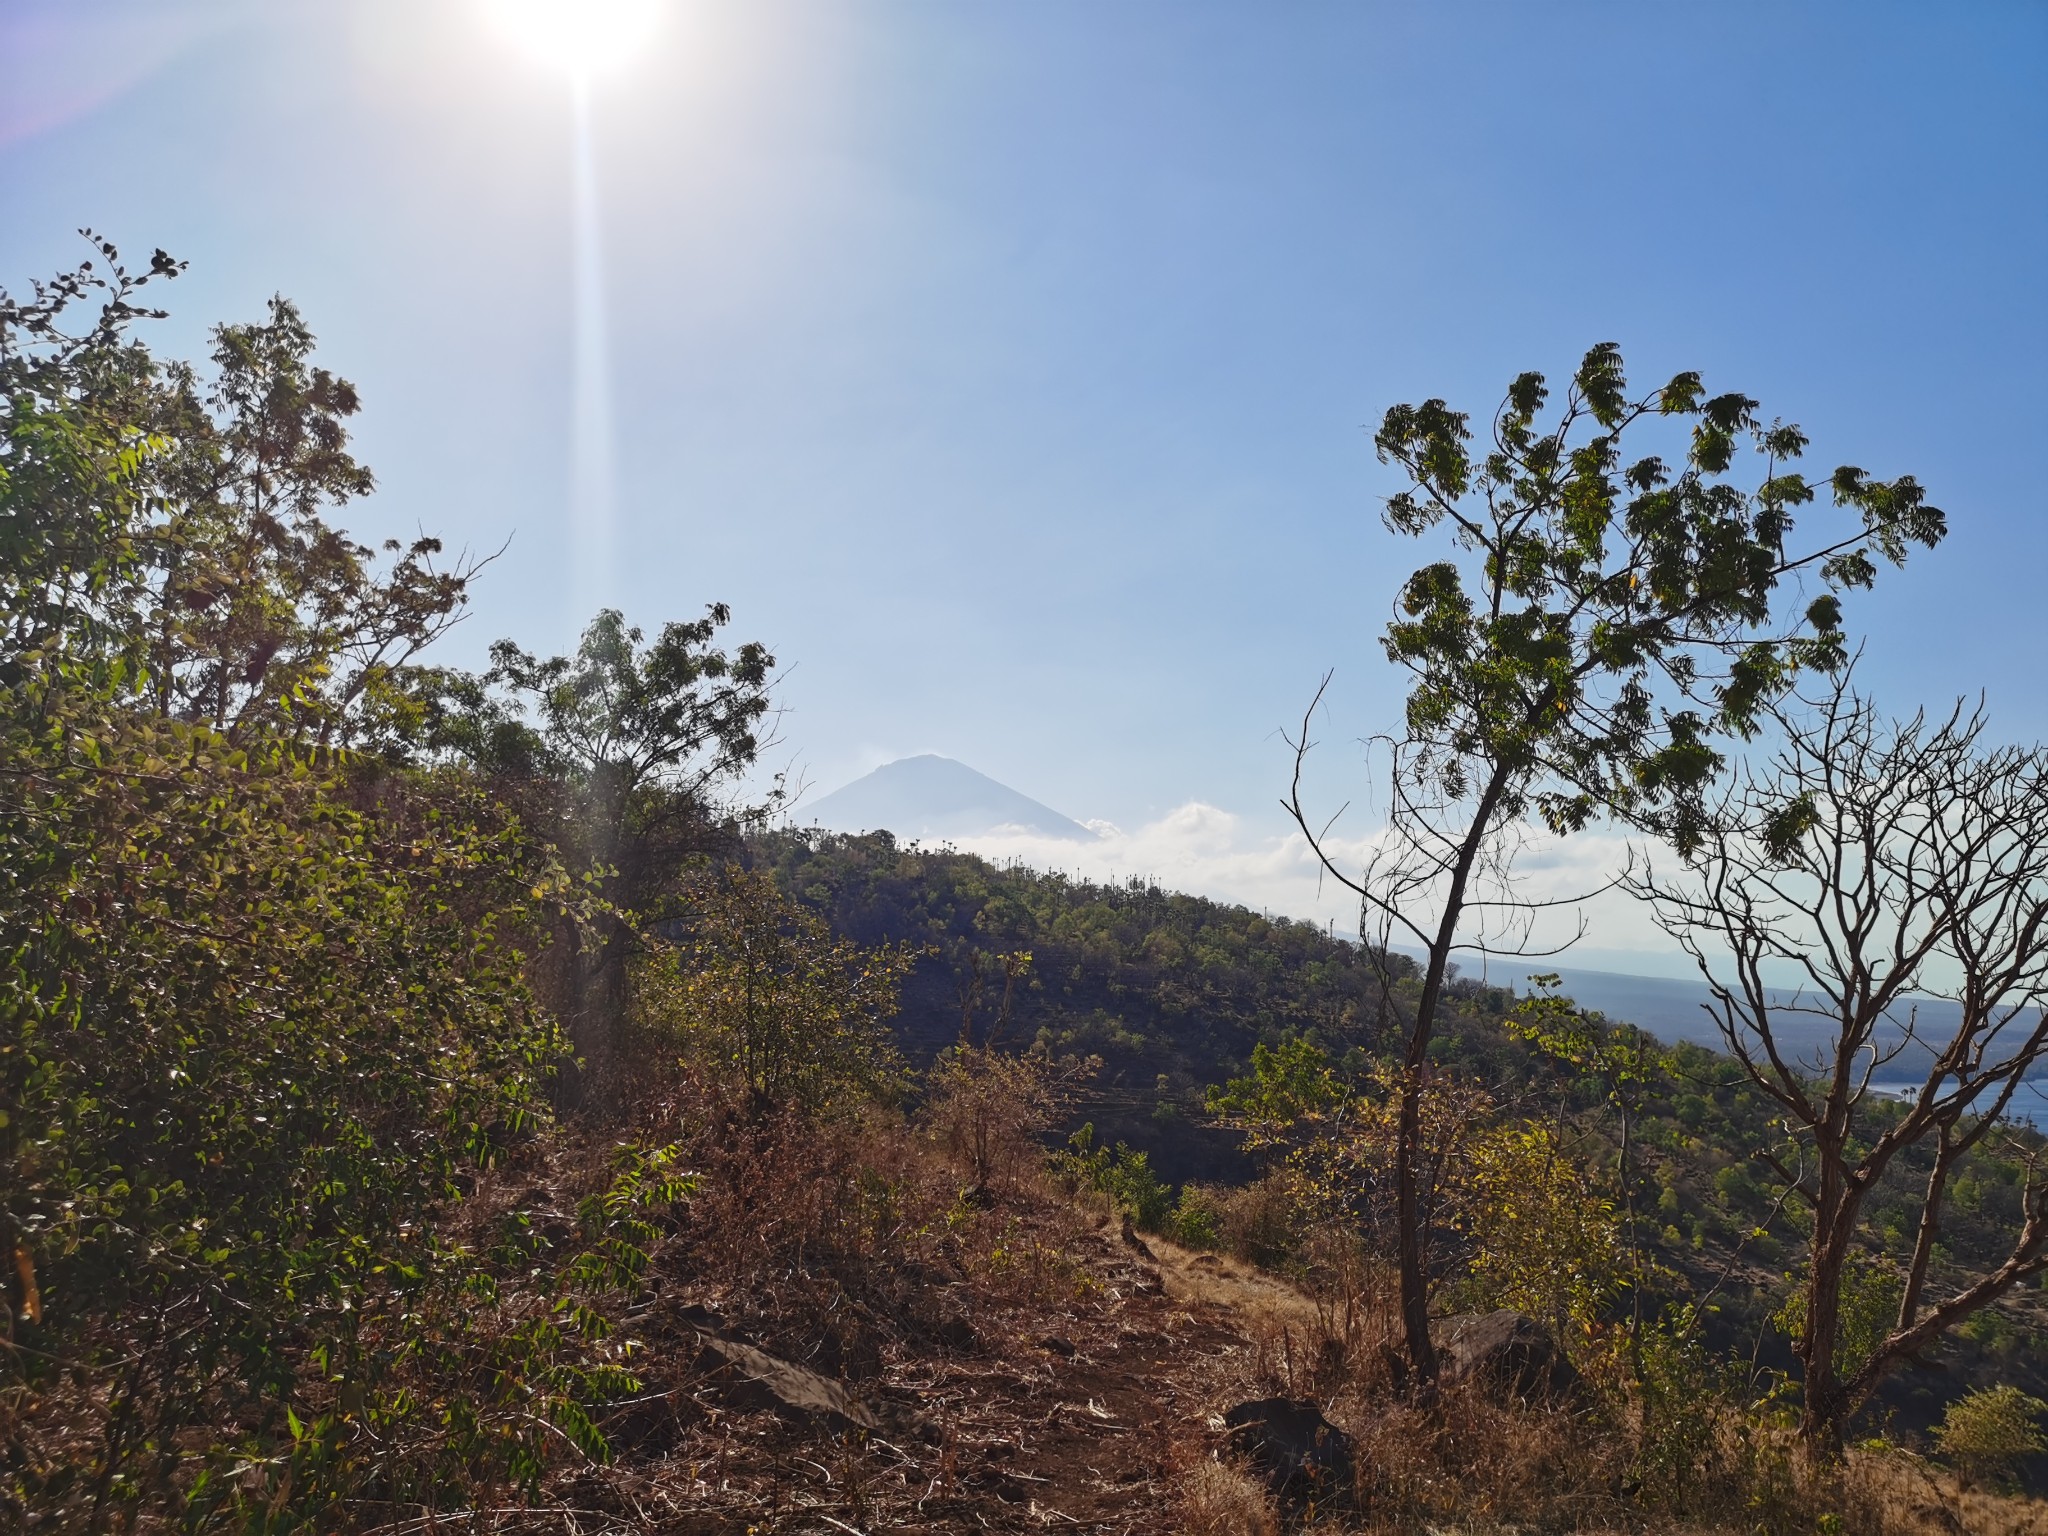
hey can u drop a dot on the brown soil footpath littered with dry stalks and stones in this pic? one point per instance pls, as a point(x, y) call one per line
point(1054, 1416)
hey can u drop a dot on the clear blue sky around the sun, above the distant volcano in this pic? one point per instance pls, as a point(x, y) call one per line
point(1011, 368)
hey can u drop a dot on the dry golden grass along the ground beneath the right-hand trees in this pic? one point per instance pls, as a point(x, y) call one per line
point(1471, 1467)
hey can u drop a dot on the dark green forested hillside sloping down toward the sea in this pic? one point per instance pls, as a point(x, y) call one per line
point(1175, 994)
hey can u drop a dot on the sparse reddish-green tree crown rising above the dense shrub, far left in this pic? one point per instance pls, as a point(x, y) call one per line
point(177, 527)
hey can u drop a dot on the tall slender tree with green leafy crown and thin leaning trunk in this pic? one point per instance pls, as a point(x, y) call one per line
point(1596, 626)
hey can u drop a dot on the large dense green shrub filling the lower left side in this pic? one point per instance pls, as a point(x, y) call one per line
point(257, 1031)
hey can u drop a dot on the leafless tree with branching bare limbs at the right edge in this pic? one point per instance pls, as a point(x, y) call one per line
point(1879, 865)
